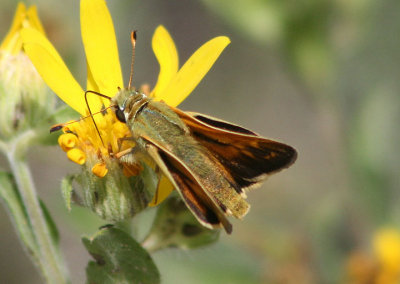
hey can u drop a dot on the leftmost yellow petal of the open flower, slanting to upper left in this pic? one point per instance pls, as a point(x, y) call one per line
point(53, 69)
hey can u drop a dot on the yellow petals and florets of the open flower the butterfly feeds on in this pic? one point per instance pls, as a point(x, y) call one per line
point(104, 76)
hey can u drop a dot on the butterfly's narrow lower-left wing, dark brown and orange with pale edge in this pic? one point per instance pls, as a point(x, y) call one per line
point(206, 211)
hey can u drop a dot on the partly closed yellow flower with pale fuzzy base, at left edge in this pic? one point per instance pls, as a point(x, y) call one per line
point(24, 100)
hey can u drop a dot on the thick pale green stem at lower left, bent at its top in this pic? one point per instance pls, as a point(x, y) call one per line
point(51, 262)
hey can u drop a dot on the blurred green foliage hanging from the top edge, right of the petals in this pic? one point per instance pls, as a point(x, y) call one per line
point(308, 33)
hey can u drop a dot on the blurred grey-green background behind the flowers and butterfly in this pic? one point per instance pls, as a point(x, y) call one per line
point(321, 75)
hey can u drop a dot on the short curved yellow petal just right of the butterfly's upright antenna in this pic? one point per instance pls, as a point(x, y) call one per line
point(167, 56)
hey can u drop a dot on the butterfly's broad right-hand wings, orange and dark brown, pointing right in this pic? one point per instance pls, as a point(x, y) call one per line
point(248, 157)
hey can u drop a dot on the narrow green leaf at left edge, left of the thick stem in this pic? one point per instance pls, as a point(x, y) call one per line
point(12, 200)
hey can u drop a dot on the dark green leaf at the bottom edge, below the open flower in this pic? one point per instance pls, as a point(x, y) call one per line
point(119, 259)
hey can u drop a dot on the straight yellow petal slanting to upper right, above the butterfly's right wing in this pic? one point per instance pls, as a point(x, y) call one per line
point(193, 71)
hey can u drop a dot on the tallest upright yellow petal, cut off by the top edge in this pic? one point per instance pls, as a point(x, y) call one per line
point(101, 46)
